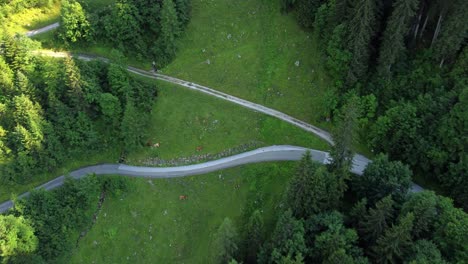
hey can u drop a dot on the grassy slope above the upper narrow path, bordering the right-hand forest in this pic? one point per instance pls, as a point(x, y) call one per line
point(249, 49)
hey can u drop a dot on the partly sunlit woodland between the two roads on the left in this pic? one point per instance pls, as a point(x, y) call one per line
point(51, 110)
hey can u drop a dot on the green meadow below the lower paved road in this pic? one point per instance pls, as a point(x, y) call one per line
point(151, 224)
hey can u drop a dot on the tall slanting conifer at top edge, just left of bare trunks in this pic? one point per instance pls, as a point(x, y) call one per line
point(393, 44)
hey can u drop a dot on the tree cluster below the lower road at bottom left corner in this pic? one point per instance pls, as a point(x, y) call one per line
point(45, 227)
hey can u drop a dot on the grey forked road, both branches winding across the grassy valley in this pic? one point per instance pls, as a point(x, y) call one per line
point(272, 153)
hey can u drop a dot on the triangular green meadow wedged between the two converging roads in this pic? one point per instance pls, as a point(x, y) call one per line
point(184, 120)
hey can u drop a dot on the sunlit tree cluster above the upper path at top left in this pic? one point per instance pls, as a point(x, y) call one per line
point(142, 28)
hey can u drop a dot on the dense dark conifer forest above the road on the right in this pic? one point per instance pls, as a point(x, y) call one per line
point(411, 57)
